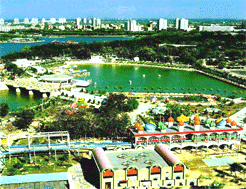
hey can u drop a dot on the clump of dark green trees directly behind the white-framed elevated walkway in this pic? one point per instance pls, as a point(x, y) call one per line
point(109, 120)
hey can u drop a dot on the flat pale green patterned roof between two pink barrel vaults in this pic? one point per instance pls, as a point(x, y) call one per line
point(138, 158)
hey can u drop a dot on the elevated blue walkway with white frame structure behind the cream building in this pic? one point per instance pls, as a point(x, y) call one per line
point(50, 142)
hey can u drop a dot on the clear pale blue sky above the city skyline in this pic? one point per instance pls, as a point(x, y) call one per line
point(10, 9)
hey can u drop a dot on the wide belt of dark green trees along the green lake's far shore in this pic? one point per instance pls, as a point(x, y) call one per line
point(216, 47)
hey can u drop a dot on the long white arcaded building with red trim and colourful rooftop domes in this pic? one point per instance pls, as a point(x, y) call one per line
point(184, 134)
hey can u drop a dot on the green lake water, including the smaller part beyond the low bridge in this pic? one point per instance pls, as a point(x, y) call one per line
point(117, 77)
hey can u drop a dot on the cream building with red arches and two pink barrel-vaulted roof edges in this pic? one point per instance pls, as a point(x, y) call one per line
point(140, 168)
